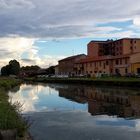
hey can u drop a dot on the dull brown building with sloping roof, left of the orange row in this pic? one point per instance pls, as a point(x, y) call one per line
point(66, 66)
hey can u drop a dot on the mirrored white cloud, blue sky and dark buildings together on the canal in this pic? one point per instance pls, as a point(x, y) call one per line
point(97, 100)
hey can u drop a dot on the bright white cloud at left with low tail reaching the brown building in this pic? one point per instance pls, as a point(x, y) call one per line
point(23, 50)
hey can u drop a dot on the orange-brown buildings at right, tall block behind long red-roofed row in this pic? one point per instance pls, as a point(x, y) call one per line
point(119, 57)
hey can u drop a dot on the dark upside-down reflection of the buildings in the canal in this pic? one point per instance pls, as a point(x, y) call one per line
point(104, 101)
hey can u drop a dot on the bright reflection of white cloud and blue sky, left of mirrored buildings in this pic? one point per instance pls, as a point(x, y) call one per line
point(35, 98)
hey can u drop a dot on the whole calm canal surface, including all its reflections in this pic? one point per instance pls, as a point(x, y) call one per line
point(80, 112)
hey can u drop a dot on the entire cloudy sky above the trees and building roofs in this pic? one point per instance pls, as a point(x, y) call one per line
point(44, 31)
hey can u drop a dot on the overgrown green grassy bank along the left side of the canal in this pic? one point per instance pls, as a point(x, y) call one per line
point(11, 122)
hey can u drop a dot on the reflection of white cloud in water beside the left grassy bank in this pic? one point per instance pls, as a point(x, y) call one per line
point(30, 97)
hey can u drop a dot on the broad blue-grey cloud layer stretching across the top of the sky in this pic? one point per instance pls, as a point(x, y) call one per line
point(63, 18)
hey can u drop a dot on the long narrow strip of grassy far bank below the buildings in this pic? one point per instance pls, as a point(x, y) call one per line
point(105, 81)
